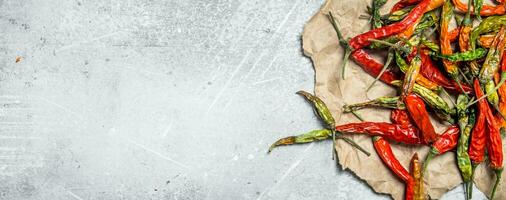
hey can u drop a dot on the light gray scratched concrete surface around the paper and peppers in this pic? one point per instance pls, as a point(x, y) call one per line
point(154, 99)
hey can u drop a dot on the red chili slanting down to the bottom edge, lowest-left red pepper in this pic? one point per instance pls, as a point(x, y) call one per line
point(384, 151)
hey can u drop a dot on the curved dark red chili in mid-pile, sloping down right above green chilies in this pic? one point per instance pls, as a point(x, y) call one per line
point(432, 72)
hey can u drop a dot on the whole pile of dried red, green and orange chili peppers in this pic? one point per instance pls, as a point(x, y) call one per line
point(454, 74)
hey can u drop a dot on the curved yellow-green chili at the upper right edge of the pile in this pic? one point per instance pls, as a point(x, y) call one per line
point(489, 24)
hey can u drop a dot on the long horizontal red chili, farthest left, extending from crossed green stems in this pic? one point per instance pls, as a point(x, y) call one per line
point(395, 132)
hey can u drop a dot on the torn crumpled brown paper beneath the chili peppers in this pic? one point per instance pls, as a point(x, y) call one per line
point(321, 44)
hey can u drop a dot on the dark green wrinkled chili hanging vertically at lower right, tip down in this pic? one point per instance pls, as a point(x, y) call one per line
point(466, 123)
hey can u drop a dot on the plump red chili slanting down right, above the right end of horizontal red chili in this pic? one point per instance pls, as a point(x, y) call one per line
point(416, 108)
